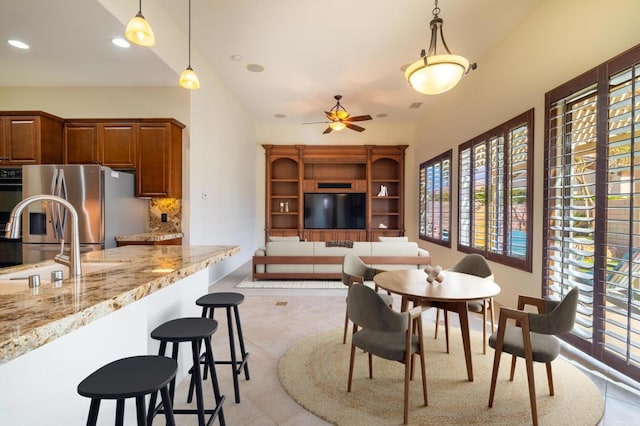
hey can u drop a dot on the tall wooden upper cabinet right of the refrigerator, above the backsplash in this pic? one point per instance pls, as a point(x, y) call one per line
point(159, 160)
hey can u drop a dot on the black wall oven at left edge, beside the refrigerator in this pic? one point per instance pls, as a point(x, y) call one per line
point(10, 195)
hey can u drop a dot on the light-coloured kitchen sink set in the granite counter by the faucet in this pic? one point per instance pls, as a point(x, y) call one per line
point(19, 281)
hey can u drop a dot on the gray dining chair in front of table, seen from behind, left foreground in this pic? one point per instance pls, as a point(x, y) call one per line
point(387, 334)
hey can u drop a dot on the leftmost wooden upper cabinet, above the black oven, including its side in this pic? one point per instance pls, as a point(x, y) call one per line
point(30, 137)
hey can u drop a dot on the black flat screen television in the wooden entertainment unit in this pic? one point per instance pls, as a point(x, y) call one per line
point(335, 211)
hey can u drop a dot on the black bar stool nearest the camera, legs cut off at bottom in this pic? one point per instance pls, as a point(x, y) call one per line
point(132, 377)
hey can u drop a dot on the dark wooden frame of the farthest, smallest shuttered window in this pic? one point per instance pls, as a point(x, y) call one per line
point(422, 204)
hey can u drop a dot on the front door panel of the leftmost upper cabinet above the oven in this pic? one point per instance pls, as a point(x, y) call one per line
point(22, 144)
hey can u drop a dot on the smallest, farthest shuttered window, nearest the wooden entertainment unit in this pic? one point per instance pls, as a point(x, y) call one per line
point(435, 194)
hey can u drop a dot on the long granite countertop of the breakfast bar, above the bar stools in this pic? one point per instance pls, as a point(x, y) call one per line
point(31, 319)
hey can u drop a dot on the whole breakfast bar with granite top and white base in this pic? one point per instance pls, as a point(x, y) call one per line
point(53, 336)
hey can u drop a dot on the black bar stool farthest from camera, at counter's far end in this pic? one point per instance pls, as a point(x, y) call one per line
point(209, 303)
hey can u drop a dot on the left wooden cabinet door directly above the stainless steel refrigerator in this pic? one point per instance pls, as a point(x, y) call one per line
point(81, 143)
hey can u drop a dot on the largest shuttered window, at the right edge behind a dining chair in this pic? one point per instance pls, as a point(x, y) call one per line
point(592, 207)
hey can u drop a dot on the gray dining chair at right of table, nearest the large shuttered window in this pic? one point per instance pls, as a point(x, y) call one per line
point(533, 338)
